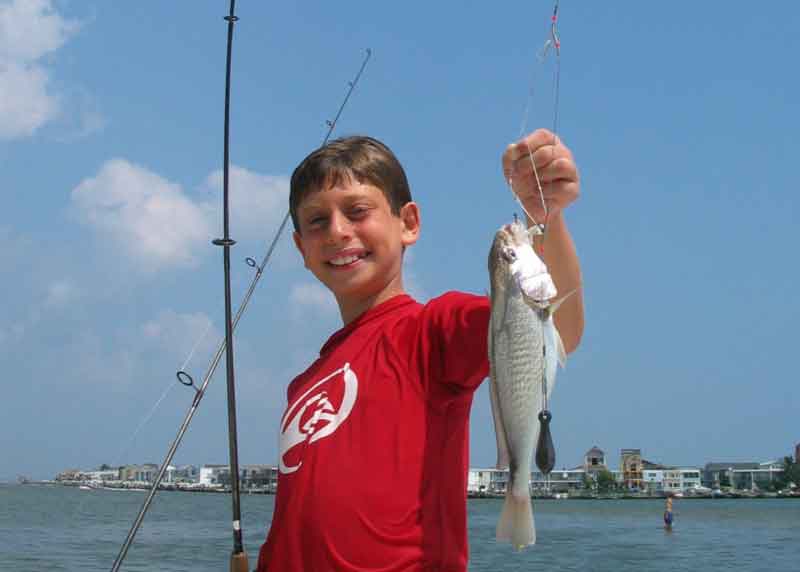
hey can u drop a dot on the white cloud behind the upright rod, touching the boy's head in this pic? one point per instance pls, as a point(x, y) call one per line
point(258, 202)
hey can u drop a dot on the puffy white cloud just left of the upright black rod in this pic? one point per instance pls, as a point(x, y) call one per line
point(149, 218)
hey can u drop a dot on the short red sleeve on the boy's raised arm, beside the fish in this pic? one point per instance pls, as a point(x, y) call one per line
point(454, 341)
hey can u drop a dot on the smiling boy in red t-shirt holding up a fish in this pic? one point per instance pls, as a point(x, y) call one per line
point(374, 441)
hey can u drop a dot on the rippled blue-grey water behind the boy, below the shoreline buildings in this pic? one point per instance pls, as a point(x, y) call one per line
point(64, 528)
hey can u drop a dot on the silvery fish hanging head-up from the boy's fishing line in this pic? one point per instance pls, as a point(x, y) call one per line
point(525, 350)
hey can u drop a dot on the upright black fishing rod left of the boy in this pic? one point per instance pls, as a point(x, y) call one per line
point(238, 555)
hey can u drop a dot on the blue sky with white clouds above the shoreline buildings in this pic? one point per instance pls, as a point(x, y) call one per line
point(683, 118)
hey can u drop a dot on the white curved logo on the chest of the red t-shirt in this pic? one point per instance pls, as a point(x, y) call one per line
point(324, 418)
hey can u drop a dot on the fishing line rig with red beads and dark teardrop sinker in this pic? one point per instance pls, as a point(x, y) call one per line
point(545, 450)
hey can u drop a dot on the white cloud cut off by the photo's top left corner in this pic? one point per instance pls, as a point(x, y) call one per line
point(29, 30)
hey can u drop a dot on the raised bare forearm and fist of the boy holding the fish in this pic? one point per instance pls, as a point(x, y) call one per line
point(558, 177)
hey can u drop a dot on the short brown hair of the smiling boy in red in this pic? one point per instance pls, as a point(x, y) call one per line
point(358, 157)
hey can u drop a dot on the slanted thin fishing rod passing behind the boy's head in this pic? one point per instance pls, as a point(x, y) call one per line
point(187, 380)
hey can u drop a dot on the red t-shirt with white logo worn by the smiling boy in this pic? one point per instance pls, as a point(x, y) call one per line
point(374, 443)
